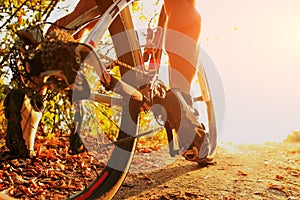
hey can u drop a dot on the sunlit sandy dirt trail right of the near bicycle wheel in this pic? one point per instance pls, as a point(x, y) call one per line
point(268, 171)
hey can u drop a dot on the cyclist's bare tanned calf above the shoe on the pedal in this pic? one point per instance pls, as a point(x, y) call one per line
point(182, 45)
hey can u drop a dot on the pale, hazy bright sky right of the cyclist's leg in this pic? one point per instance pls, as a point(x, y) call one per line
point(254, 46)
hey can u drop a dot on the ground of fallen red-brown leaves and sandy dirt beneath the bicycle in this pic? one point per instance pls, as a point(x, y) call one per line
point(266, 171)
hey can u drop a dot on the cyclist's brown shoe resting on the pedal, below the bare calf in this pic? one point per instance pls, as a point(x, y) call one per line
point(182, 116)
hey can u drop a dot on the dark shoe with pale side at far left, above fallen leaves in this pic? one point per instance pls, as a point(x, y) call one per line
point(23, 110)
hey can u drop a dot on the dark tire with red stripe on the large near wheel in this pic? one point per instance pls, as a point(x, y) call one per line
point(112, 176)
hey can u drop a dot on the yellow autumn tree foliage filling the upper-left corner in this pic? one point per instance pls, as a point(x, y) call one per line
point(16, 15)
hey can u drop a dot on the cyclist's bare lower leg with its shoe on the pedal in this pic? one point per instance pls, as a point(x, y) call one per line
point(183, 31)
